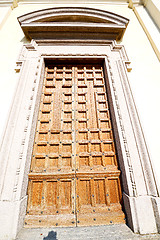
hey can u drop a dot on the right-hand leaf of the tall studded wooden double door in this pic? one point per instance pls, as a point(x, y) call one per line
point(97, 175)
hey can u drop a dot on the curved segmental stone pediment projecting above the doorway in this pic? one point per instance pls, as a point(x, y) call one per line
point(73, 23)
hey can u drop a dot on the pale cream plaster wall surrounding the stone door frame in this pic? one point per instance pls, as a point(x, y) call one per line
point(144, 77)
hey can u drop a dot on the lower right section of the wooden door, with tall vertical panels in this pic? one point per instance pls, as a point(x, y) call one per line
point(96, 203)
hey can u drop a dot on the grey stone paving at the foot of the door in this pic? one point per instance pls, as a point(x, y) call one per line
point(111, 232)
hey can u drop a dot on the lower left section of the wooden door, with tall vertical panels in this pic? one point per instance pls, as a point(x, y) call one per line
point(49, 199)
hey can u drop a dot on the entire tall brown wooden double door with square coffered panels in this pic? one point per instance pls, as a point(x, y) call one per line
point(74, 178)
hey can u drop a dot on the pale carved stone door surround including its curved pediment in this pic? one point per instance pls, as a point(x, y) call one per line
point(80, 34)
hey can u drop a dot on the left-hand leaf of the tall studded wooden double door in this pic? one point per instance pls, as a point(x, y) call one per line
point(51, 191)
